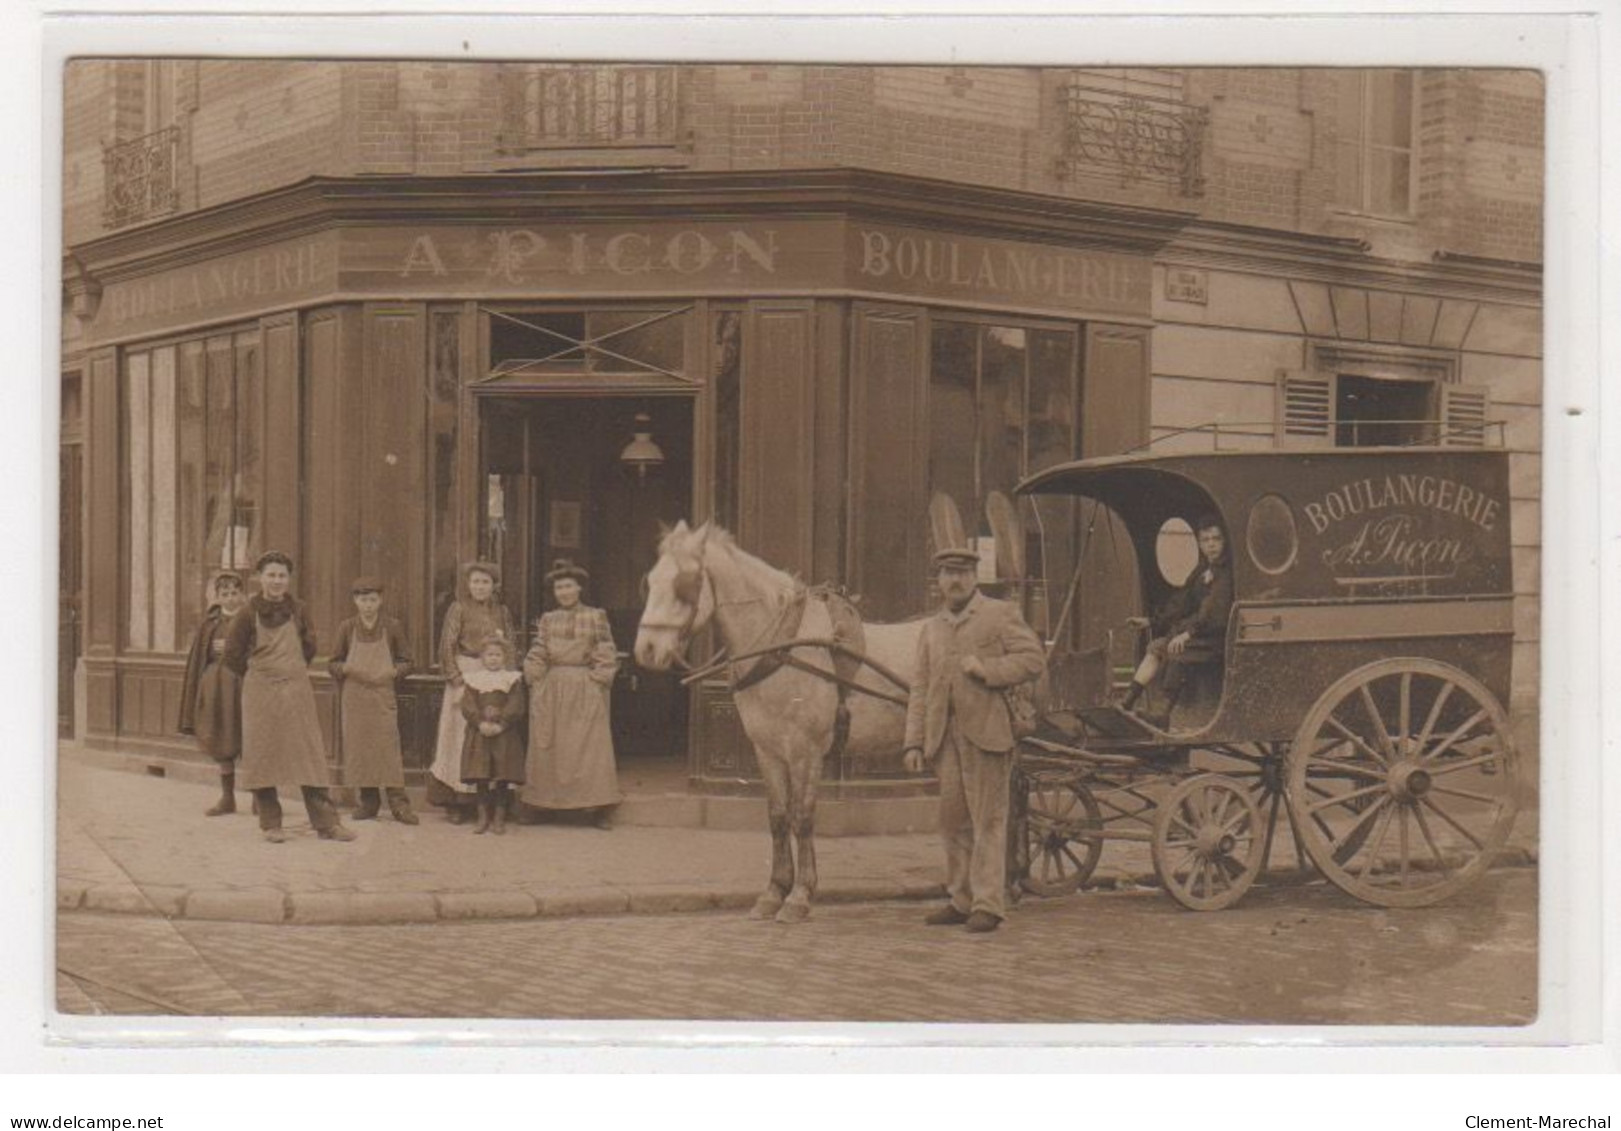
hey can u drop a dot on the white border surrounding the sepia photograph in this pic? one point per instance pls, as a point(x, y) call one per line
point(1575, 858)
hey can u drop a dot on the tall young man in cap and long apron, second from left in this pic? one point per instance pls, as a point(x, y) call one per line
point(270, 644)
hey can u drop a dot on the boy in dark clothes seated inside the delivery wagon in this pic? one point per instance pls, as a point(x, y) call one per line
point(1191, 628)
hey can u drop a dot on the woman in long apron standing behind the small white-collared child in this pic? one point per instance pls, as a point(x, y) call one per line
point(468, 623)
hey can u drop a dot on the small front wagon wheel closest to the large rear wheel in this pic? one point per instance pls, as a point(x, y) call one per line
point(1207, 843)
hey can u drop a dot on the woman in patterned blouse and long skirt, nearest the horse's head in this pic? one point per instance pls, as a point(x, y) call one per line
point(570, 670)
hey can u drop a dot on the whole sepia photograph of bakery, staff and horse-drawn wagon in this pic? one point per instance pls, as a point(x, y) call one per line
point(800, 542)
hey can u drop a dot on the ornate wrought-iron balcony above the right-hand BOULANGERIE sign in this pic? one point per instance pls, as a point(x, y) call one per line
point(1134, 137)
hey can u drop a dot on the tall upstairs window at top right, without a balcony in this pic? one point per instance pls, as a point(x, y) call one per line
point(1375, 143)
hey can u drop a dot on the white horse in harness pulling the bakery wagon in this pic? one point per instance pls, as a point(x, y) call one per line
point(790, 714)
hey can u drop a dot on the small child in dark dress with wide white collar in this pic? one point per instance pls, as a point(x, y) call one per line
point(494, 753)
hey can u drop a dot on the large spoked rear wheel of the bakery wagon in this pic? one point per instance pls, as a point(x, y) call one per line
point(1405, 782)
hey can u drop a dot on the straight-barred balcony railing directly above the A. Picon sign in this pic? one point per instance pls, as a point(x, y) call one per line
point(591, 108)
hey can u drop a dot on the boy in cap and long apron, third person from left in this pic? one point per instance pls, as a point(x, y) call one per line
point(369, 659)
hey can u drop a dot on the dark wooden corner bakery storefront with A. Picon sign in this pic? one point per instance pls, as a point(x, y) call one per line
point(391, 378)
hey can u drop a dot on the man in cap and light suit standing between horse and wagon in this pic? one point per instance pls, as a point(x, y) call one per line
point(970, 654)
